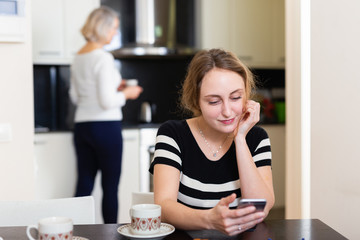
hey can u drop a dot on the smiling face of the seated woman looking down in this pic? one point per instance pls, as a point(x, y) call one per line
point(222, 98)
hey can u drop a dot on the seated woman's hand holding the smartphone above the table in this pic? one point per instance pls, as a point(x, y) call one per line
point(233, 221)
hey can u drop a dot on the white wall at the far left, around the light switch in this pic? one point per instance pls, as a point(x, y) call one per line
point(16, 109)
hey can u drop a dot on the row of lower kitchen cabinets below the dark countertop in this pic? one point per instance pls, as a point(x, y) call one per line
point(55, 168)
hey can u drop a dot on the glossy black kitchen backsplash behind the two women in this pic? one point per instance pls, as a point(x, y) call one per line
point(160, 76)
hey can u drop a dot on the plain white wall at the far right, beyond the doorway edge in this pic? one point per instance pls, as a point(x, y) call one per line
point(335, 188)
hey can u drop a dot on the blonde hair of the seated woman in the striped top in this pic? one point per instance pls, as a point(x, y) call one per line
point(200, 65)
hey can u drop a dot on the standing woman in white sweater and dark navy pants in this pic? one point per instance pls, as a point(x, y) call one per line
point(97, 92)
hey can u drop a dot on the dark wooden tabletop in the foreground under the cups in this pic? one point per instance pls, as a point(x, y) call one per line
point(306, 229)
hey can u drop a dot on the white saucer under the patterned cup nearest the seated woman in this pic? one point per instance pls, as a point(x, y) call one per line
point(165, 229)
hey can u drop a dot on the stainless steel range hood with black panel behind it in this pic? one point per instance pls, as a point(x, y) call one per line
point(155, 27)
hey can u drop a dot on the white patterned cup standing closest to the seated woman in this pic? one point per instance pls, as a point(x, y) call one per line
point(145, 219)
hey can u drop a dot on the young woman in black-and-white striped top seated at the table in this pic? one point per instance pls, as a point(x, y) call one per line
point(203, 165)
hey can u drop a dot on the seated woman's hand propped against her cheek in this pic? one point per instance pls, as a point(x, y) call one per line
point(250, 116)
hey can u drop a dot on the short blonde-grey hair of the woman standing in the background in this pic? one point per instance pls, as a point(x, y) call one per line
point(98, 24)
